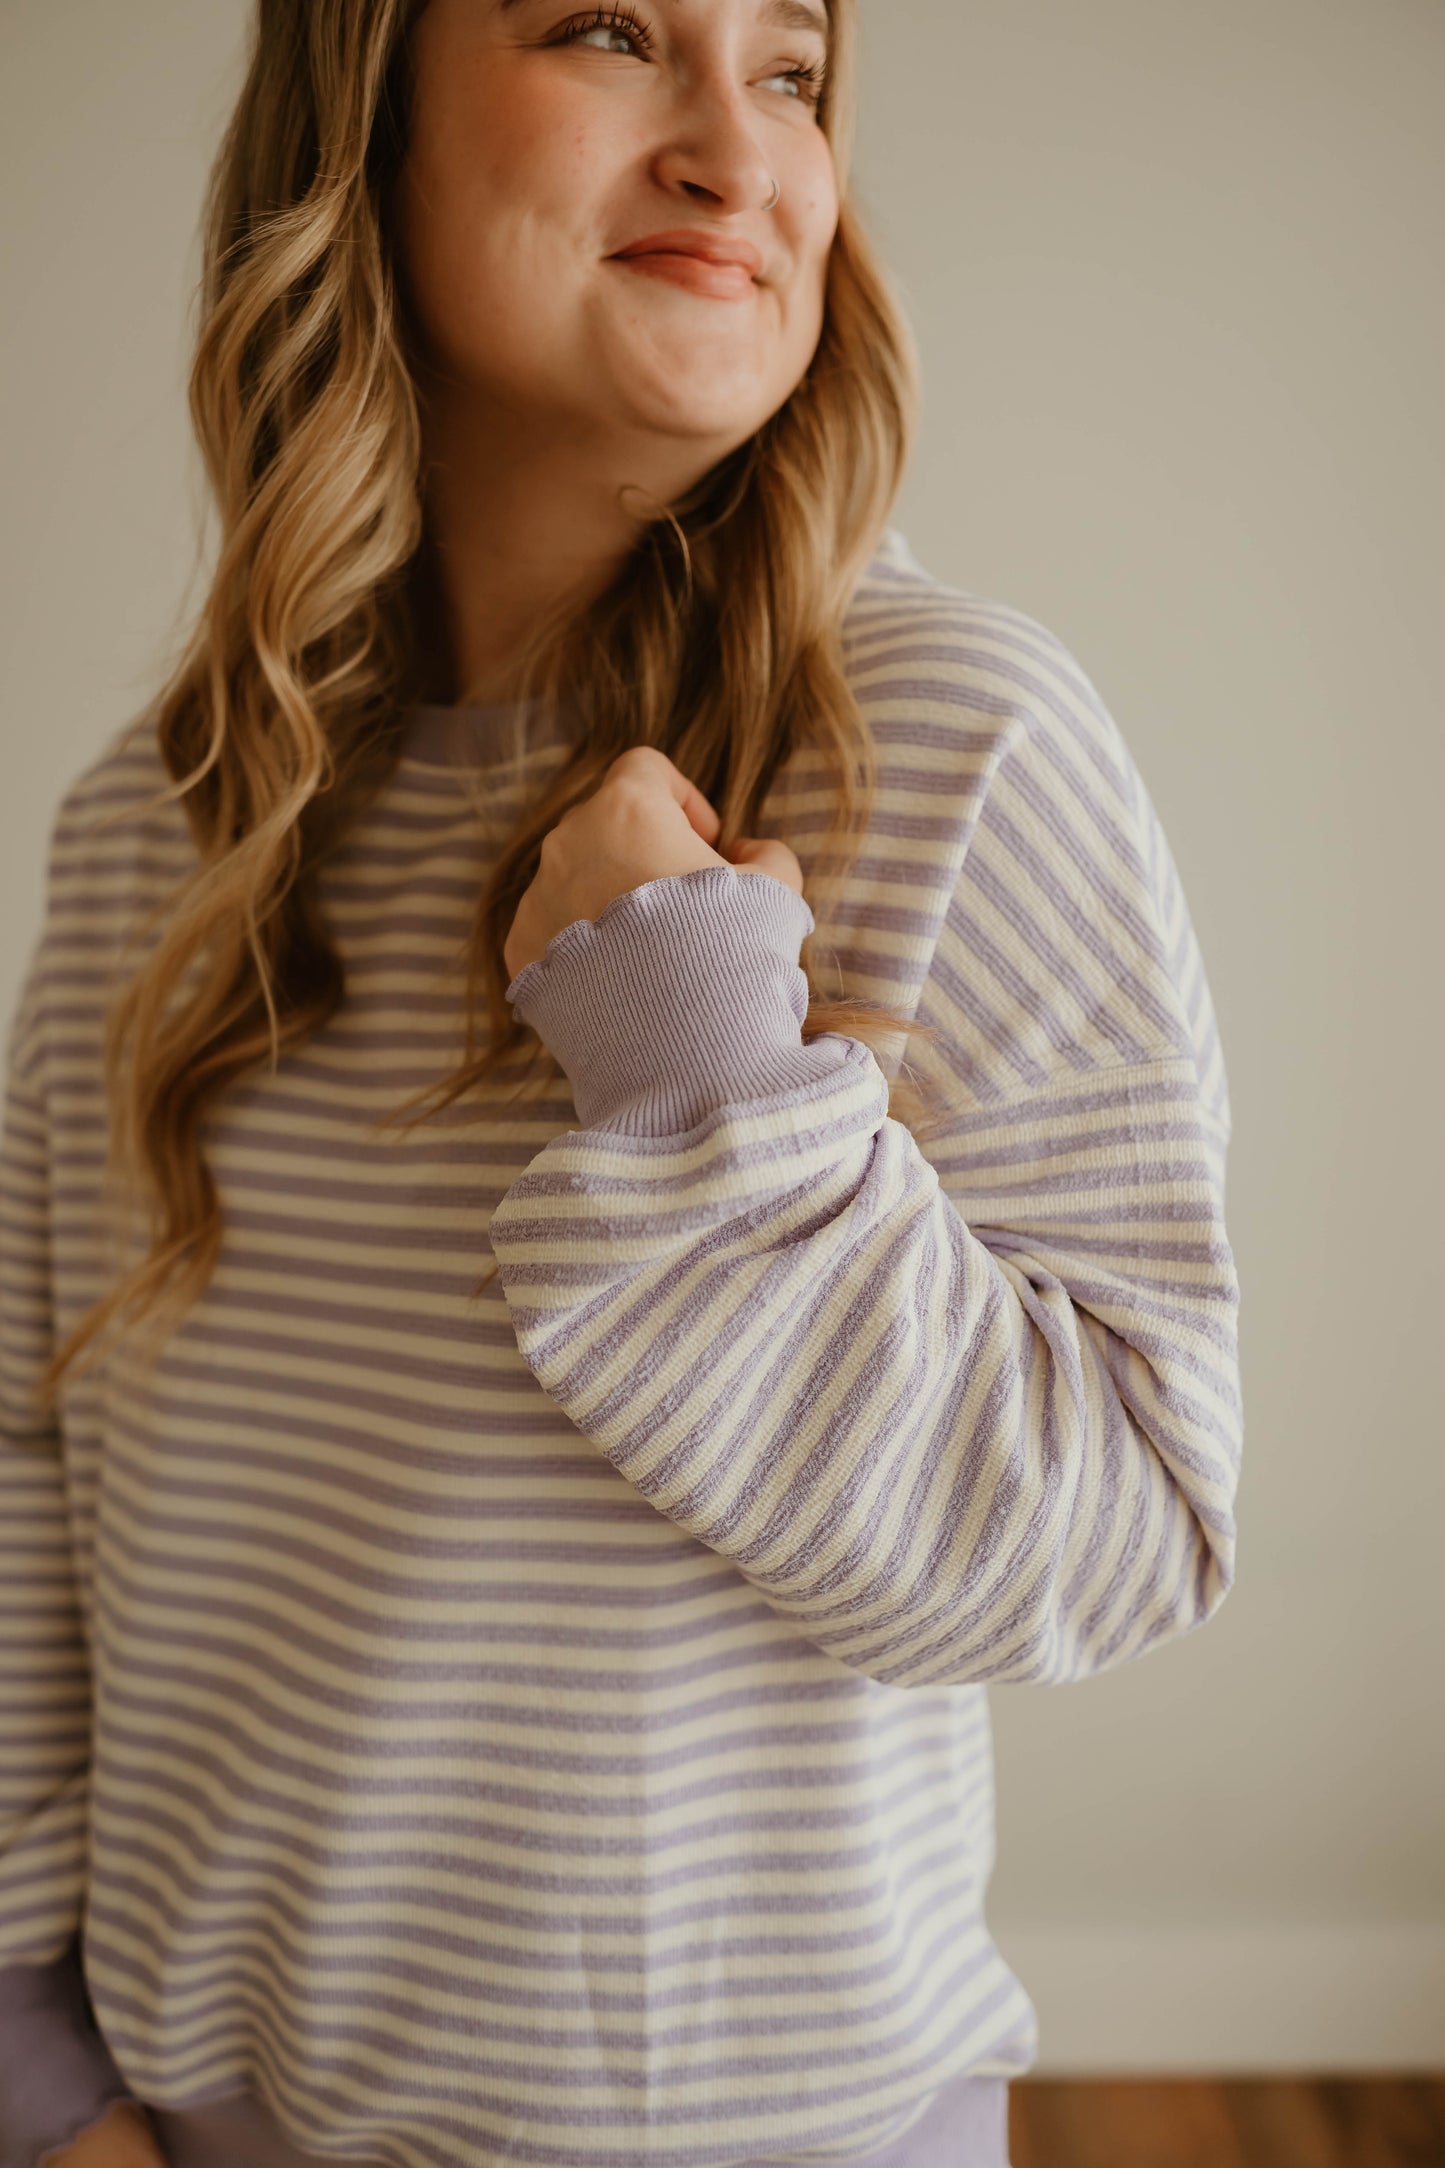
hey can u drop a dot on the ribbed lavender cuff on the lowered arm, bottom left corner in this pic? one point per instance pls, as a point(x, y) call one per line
point(55, 2067)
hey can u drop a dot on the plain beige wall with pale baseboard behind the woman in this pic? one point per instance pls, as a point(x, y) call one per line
point(1177, 285)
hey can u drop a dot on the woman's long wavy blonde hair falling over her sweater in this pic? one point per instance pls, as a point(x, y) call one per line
point(720, 641)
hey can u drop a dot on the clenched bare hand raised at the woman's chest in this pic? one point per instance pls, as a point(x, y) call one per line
point(642, 823)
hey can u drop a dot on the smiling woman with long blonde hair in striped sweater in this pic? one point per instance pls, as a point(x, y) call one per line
point(541, 1712)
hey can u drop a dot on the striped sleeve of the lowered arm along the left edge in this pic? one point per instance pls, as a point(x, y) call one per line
point(57, 2074)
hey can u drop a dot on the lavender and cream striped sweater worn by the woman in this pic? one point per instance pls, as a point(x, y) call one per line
point(554, 1727)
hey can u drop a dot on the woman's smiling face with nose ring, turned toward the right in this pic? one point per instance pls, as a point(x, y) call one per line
point(545, 140)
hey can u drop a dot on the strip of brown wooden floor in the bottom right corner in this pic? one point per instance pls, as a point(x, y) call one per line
point(1229, 2124)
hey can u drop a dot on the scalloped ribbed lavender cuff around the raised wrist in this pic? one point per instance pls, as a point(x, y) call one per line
point(681, 998)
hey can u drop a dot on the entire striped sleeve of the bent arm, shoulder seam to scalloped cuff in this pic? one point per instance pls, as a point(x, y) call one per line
point(963, 1410)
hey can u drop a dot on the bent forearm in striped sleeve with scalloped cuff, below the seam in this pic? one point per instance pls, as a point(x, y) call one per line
point(948, 1456)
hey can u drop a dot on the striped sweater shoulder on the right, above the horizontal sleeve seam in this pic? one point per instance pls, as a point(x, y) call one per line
point(1067, 946)
